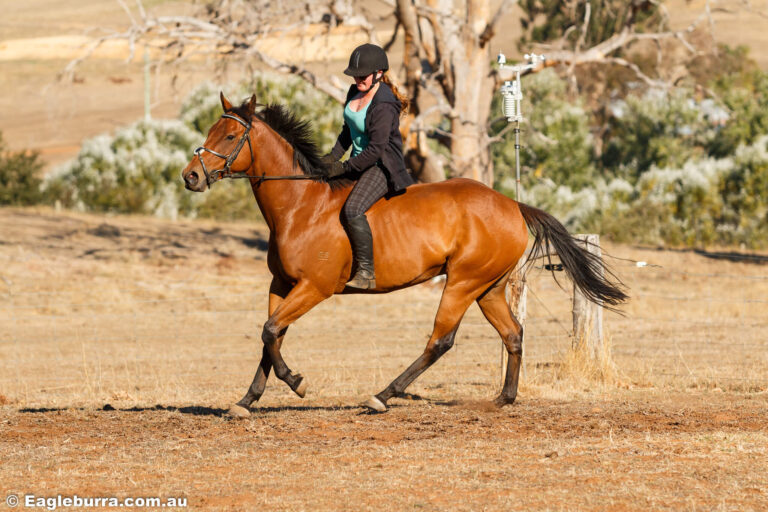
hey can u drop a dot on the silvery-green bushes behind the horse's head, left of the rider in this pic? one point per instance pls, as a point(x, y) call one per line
point(137, 170)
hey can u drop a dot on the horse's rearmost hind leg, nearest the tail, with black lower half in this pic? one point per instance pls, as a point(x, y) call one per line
point(494, 306)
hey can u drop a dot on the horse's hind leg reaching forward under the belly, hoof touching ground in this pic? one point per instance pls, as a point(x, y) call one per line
point(453, 305)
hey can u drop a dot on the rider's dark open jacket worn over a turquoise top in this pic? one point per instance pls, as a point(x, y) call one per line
point(385, 146)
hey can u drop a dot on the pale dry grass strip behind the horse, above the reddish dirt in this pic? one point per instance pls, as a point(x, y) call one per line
point(141, 311)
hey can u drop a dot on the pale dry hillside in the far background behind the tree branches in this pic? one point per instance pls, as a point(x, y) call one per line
point(57, 117)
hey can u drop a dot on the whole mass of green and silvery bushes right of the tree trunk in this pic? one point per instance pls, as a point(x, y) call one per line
point(660, 177)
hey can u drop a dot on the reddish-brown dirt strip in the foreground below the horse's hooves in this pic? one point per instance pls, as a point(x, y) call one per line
point(638, 452)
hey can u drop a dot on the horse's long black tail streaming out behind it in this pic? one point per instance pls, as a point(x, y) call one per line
point(584, 268)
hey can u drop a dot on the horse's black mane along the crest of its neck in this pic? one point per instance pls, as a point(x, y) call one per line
point(298, 133)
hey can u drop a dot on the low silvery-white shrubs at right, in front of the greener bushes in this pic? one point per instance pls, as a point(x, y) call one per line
point(703, 201)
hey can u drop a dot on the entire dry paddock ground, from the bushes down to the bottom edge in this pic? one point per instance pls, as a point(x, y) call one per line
point(124, 339)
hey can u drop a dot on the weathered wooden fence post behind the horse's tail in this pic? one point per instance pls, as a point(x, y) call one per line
point(588, 316)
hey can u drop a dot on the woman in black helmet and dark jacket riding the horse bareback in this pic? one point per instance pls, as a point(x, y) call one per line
point(372, 127)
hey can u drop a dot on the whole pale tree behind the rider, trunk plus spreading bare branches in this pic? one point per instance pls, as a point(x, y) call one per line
point(447, 55)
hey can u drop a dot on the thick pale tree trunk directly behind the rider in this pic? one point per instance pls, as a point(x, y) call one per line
point(446, 48)
